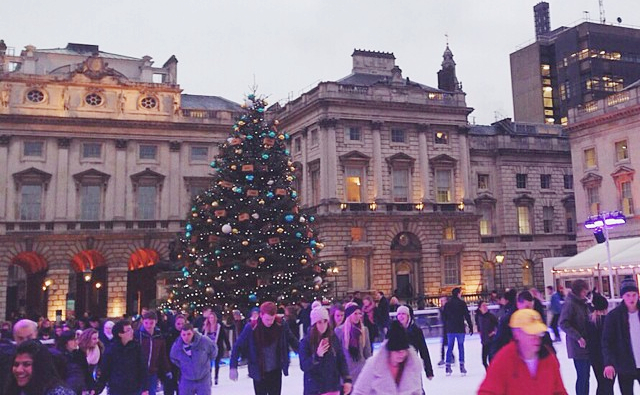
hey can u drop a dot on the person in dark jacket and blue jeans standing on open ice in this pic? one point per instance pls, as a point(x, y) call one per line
point(455, 313)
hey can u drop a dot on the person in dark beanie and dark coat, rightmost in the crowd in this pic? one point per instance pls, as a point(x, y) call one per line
point(621, 339)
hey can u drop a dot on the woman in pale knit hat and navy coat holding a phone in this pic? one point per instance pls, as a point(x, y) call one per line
point(321, 358)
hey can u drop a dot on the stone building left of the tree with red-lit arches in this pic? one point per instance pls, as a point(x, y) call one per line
point(100, 155)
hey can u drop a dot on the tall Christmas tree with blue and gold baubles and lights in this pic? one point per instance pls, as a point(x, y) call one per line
point(245, 241)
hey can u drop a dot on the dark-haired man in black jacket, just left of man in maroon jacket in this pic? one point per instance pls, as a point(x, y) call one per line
point(123, 368)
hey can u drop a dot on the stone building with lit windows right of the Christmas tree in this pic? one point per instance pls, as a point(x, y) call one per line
point(410, 198)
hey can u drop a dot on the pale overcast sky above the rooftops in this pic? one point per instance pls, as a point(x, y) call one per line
point(289, 46)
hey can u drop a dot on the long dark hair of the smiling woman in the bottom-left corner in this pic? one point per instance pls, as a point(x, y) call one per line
point(44, 376)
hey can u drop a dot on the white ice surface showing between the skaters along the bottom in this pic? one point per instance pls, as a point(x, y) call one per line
point(441, 384)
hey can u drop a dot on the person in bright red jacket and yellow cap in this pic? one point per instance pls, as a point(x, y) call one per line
point(524, 366)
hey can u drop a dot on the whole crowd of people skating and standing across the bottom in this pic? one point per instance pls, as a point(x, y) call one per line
point(181, 353)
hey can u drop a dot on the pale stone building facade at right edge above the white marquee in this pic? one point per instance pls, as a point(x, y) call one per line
point(604, 145)
